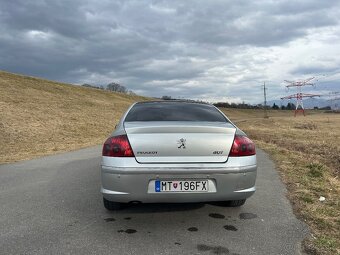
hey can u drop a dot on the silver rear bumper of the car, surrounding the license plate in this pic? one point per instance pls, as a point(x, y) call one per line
point(125, 185)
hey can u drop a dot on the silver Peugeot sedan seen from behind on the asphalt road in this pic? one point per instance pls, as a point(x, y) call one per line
point(177, 152)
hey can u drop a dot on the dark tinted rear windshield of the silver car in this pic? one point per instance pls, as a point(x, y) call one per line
point(174, 111)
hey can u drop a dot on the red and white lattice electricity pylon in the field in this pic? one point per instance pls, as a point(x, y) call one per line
point(299, 95)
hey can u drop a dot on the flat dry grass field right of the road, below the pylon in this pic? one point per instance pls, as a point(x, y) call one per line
point(307, 152)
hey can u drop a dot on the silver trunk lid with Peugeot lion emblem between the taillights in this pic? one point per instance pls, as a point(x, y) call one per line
point(180, 142)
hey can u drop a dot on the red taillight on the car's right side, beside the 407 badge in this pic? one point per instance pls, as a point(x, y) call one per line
point(242, 146)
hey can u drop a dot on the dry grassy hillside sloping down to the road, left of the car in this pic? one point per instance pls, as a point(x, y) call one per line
point(40, 117)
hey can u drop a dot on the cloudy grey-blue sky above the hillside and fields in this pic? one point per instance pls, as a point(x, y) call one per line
point(208, 50)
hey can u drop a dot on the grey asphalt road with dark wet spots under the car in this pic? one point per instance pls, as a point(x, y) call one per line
point(52, 205)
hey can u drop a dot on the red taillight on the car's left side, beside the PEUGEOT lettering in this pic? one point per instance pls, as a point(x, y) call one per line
point(117, 146)
